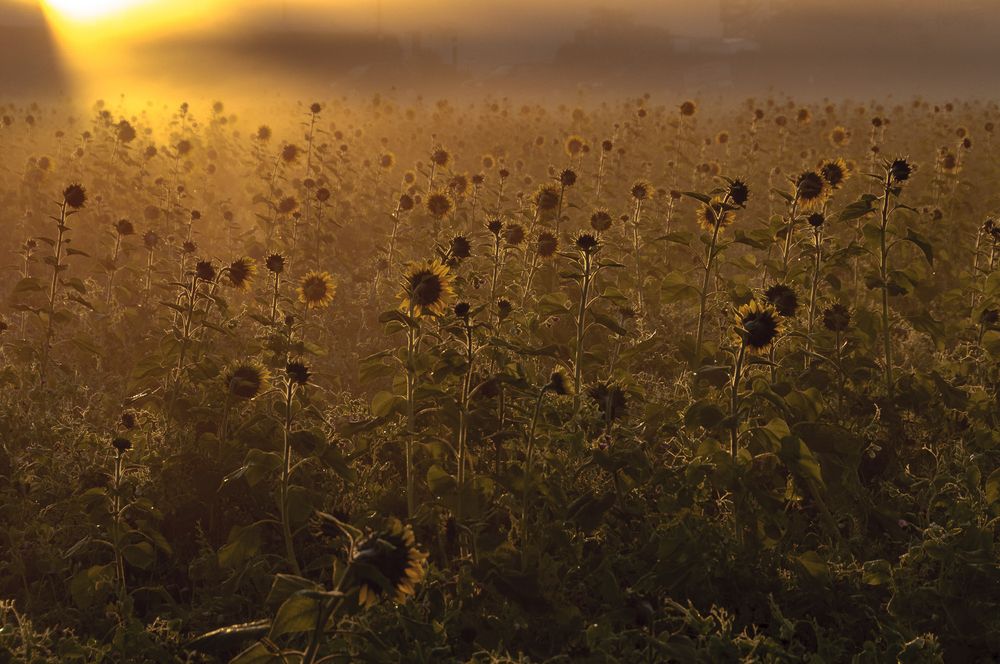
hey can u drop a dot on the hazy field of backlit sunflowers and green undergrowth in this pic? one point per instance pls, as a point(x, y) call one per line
point(373, 380)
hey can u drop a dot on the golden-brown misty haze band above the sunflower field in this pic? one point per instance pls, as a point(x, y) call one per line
point(553, 49)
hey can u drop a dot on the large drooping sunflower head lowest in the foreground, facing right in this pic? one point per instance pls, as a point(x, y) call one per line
point(388, 563)
